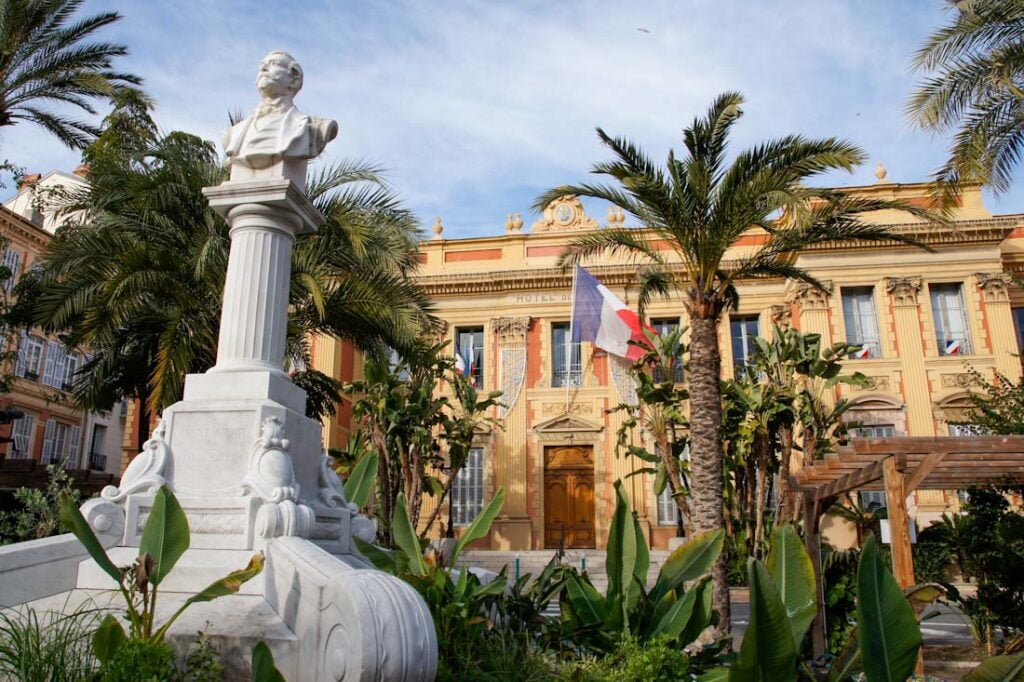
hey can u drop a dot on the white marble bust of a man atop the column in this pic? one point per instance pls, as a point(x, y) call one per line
point(278, 140)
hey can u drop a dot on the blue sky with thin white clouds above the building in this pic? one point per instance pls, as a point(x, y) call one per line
point(476, 108)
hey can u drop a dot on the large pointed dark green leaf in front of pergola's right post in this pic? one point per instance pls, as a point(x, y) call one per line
point(889, 634)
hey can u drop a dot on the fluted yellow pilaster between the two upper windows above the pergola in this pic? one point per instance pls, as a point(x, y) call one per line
point(907, 319)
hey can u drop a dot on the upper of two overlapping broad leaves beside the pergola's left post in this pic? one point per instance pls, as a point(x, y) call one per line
point(793, 573)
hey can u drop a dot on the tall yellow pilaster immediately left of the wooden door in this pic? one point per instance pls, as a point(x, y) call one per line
point(513, 530)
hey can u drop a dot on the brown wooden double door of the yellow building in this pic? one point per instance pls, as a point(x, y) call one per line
point(569, 498)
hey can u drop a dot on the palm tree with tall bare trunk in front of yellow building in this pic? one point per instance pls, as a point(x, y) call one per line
point(700, 205)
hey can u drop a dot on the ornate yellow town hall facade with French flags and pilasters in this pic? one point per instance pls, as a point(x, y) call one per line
point(927, 319)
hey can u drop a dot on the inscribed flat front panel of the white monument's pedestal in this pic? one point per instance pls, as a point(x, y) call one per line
point(211, 450)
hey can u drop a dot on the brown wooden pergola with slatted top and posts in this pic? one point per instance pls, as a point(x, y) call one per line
point(901, 466)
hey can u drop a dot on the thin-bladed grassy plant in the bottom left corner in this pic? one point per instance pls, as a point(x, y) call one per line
point(38, 648)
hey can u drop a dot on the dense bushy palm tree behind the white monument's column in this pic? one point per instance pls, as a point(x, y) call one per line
point(137, 275)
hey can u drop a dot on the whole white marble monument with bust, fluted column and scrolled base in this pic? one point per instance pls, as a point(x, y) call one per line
point(246, 462)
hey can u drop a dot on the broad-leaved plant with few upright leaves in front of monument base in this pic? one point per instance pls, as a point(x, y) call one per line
point(164, 540)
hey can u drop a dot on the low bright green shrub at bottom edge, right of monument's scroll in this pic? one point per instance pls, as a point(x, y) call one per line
point(654, 661)
